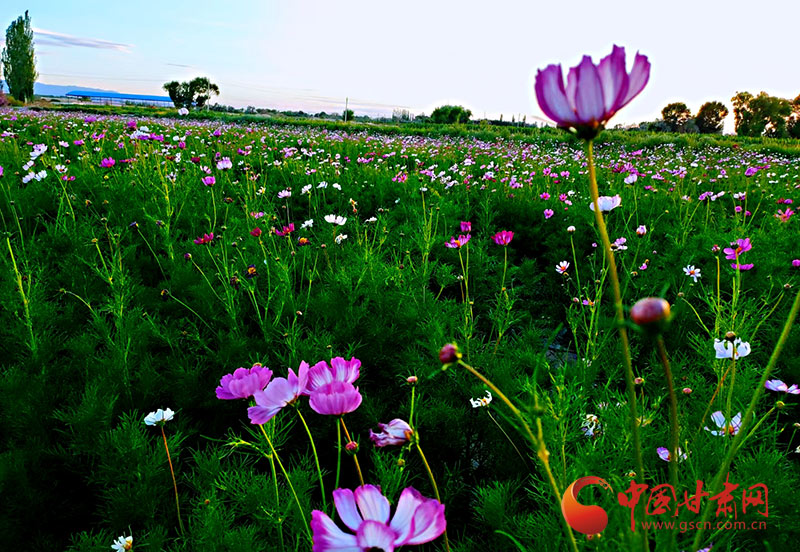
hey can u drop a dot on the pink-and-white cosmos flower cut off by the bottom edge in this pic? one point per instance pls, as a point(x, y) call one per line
point(366, 512)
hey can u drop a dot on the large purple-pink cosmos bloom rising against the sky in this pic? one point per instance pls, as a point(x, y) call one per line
point(593, 94)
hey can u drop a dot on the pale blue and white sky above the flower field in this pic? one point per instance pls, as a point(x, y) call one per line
point(412, 54)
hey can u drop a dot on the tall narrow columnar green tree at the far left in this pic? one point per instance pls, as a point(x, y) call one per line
point(19, 60)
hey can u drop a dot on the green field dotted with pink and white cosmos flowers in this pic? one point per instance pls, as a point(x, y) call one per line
point(220, 336)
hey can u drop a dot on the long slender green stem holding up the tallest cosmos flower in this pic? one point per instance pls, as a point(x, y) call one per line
point(620, 319)
